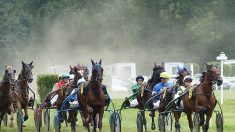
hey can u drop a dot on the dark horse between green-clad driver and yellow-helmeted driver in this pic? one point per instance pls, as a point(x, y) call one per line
point(145, 93)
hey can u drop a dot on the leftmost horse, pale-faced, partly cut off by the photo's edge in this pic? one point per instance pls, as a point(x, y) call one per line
point(6, 88)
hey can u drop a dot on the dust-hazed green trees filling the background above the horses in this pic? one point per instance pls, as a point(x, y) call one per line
point(204, 26)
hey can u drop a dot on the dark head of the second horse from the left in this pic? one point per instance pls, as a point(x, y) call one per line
point(26, 71)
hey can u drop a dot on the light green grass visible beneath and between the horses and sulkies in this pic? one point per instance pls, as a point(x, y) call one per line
point(129, 118)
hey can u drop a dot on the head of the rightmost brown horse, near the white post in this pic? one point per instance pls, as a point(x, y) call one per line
point(214, 74)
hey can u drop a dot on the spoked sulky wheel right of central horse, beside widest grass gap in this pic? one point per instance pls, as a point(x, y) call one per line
point(115, 122)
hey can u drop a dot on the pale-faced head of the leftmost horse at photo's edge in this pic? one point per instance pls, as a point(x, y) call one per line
point(9, 75)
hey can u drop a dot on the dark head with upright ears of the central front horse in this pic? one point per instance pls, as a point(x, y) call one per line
point(97, 71)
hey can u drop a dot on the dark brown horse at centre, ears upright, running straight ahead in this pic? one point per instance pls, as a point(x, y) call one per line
point(95, 98)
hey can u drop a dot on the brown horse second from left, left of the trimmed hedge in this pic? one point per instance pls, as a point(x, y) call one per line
point(22, 87)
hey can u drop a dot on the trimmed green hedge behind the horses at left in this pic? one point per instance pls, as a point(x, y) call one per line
point(45, 83)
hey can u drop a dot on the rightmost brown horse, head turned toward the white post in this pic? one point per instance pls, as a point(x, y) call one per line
point(203, 100)
